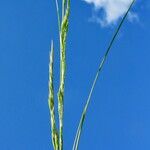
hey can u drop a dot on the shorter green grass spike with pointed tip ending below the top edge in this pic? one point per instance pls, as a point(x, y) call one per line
point(54, 132)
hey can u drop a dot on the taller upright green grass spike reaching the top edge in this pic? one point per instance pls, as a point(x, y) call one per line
point(63, 36)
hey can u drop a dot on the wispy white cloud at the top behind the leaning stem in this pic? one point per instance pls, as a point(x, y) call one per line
point(113, 10)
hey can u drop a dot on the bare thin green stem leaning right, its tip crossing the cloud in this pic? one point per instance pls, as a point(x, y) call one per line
point(80, 127)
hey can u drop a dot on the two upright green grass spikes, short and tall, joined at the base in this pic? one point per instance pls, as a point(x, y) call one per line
point(57, 136)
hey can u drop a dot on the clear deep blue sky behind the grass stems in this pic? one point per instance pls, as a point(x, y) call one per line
point(118, 116)
